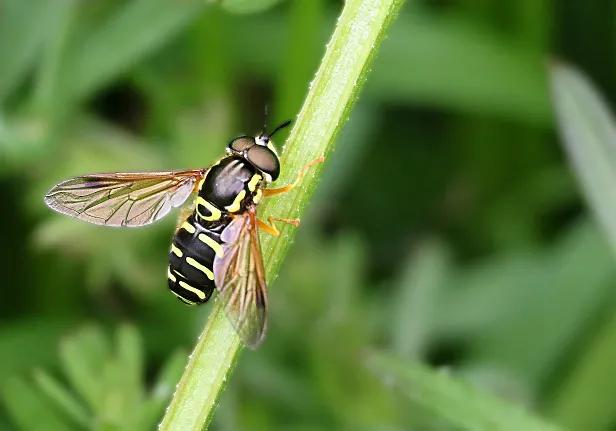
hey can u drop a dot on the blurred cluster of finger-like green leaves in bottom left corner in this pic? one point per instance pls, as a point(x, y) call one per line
point(108, 380)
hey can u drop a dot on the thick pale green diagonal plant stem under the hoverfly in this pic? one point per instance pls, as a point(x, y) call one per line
point(361, 27)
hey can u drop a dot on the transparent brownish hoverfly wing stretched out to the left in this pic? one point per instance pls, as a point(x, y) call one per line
point(123, 199)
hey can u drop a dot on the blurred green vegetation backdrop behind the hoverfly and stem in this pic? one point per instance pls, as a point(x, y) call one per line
point(448, 228)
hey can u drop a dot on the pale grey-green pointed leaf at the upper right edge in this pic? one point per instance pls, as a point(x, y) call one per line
point(588, 133)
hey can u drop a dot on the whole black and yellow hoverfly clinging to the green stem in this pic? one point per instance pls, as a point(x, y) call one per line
point(216, 243)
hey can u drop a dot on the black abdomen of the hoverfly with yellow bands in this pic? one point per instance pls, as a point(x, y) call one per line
point(194, 247)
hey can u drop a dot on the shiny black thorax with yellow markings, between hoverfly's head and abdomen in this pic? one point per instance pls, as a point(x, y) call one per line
point(230, 186)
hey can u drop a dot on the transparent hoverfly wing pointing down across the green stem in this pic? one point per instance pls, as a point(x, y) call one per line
point(240, 278)
